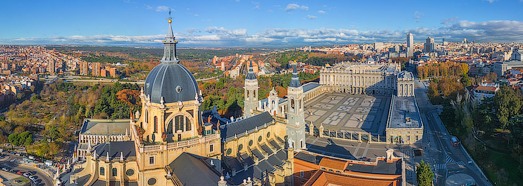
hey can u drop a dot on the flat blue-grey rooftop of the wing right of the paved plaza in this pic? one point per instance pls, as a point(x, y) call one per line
point(404, 113)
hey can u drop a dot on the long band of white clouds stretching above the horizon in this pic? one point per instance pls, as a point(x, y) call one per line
point(487, 31)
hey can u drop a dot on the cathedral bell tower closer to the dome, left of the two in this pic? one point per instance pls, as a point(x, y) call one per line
point(251, 93)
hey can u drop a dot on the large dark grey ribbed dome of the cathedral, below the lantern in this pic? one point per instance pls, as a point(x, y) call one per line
point(171, 81)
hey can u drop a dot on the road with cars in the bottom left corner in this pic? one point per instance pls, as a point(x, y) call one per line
point(46, 179)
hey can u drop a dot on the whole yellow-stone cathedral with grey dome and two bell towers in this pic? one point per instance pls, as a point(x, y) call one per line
point(172, 142)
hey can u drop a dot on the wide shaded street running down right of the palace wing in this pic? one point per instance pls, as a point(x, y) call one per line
point(445, 158)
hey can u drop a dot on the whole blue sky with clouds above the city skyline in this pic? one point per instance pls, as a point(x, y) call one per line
point(251, 23)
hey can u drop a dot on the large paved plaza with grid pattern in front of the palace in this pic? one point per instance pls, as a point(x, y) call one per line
point(347, 112)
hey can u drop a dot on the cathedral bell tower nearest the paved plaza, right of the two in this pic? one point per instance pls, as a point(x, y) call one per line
point(295, 113)
